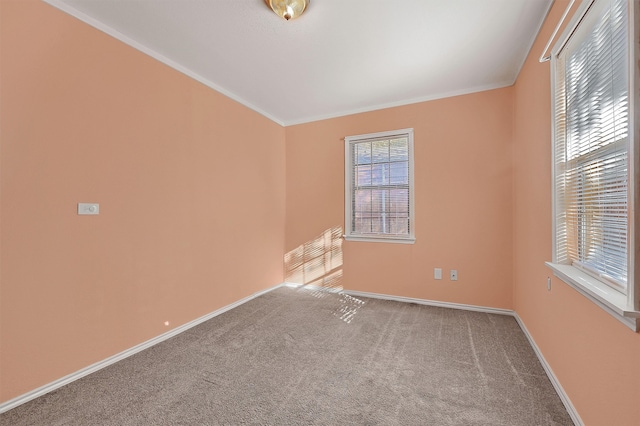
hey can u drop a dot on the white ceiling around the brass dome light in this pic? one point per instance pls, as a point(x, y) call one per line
point(339, 57)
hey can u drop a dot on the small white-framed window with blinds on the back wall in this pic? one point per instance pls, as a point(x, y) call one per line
point(379, 187)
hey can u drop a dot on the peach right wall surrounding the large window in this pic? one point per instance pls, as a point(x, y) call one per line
point(596, 358)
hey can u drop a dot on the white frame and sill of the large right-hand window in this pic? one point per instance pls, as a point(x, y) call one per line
point(623, 307)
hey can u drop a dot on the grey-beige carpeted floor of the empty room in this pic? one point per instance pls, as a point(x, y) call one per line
point(298, 357)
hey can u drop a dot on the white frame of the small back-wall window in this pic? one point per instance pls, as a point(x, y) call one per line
point(387, 238)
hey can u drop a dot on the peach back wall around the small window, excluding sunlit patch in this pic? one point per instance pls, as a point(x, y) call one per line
point(463, 199)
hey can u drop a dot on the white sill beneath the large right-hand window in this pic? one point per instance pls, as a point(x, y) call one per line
point(612, 301)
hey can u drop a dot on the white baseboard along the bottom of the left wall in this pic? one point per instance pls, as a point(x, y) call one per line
point(19, 400)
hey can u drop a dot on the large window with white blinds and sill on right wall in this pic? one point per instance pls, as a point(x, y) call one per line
point(593, 142)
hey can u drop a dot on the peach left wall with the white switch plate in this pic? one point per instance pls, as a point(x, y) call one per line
point(190, 185)
